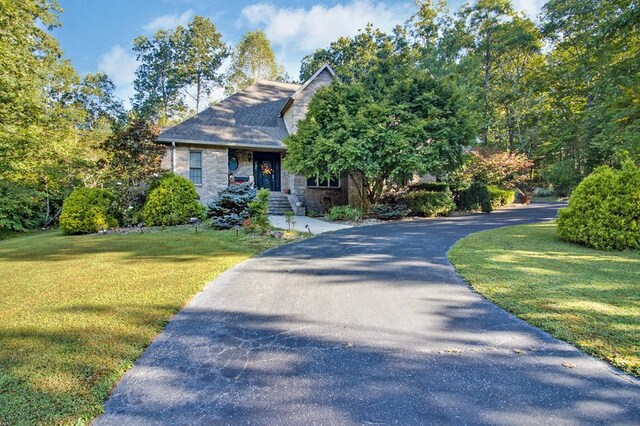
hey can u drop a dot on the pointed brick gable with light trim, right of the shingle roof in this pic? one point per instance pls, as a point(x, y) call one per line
point(295, 109)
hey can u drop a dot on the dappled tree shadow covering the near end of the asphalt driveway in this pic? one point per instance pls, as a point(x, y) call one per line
point(240, 367)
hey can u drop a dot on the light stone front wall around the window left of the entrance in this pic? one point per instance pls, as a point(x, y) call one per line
point(214, 168)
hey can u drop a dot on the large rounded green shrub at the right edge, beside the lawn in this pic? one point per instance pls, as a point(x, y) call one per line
point(604, 210)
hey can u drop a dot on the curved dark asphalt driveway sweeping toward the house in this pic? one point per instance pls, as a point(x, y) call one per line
point(367, 325)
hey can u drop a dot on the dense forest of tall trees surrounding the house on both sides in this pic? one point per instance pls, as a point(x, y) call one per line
point(563, 90)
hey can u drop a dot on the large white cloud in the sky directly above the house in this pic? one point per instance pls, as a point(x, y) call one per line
point(296, 32)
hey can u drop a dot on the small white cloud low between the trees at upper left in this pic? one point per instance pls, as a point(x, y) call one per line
point(120, 65)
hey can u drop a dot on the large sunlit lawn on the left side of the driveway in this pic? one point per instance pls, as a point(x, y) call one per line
point(75, 312)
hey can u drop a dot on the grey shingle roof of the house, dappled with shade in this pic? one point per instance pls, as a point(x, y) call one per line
point(249, 118)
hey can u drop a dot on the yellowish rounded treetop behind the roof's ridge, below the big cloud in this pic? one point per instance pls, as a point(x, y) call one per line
point(252, 59)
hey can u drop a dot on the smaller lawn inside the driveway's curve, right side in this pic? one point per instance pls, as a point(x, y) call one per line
point(586, 297)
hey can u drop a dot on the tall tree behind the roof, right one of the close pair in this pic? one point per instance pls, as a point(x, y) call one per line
point(199, 56)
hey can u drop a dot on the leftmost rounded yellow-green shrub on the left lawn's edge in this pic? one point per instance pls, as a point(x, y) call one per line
point(87, 210)
